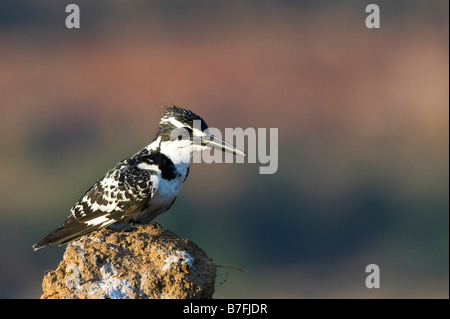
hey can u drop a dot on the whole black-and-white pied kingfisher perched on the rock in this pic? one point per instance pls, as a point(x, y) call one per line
point(142, 186)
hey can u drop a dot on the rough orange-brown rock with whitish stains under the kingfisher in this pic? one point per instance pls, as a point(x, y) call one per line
point(146, 263)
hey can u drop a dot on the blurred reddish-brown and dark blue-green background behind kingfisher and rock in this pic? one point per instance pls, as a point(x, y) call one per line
point(363, 119)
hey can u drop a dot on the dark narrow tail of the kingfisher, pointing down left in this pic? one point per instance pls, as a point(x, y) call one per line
point(68, 231)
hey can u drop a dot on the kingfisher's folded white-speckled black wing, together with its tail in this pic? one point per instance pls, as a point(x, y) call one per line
point(123, 190)
